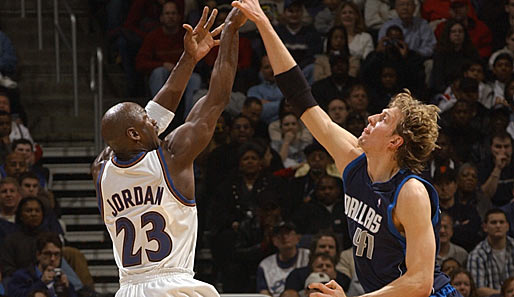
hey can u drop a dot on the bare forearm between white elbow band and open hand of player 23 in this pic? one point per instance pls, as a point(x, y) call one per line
point(170, 94)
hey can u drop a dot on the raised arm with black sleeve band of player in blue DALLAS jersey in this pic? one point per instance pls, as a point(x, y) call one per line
point(341, 144)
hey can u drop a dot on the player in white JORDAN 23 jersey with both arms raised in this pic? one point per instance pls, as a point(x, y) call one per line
point(145, 186)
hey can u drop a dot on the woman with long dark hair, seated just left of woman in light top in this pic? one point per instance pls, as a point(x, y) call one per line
point(336, 44)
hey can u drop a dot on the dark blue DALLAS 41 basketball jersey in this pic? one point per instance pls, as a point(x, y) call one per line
point(378, 247)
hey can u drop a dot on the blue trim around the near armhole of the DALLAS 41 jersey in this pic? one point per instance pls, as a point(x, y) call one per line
point(432, 194)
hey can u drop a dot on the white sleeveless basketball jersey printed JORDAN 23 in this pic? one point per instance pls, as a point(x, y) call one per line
point(152, 226)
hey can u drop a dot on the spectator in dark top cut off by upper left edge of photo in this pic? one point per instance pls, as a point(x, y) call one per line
point(8, 62)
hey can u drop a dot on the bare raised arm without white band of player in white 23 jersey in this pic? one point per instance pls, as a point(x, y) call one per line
point(187, 141)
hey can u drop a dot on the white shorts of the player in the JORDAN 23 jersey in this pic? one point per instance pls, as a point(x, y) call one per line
point(173, 284)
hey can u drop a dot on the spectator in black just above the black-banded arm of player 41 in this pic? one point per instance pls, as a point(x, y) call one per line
point(337, 84)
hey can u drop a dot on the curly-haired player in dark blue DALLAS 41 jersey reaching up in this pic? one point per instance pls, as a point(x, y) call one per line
point(392, 213)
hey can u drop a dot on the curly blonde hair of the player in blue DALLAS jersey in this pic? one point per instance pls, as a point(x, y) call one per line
point(418, 128)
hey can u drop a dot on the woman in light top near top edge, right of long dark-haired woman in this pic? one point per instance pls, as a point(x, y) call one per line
point(360, 42)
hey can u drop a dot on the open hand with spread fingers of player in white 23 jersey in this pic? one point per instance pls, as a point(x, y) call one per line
point(199, 41)
